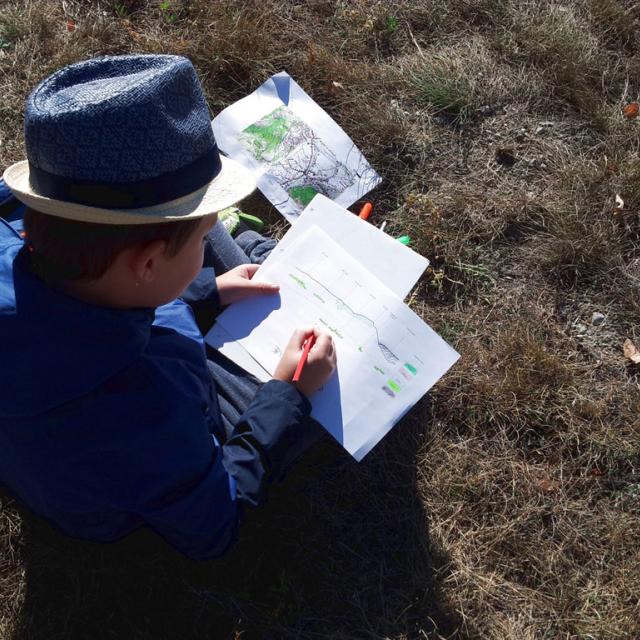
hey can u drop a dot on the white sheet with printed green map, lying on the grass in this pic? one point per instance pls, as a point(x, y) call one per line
point(294, 148)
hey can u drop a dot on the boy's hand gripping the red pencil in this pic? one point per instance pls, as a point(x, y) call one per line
point(320, 365)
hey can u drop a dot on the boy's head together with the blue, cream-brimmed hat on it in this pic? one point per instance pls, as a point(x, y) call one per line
point(122, 169)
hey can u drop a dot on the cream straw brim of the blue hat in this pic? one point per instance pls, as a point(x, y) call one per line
point(233, 183)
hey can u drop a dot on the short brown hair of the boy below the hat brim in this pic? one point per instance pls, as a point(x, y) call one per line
point(62, 249)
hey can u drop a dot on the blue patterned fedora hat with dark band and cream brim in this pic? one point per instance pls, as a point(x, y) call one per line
point(124, 140)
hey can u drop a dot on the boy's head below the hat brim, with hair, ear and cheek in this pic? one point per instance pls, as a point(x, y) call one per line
point(143, 265)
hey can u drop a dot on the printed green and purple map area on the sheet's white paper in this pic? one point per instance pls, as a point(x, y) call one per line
point(301, 163)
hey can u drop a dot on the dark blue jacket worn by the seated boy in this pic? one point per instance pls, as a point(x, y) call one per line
point(107, 417)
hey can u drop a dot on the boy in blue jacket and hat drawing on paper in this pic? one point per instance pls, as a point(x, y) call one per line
point(109, 415)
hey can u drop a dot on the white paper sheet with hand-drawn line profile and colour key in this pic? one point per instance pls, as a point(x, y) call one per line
point(388, 358)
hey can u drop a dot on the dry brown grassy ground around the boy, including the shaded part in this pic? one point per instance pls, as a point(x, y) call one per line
point(507, 503)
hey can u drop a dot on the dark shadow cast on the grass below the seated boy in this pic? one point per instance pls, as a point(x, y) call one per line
point(340, 550)
